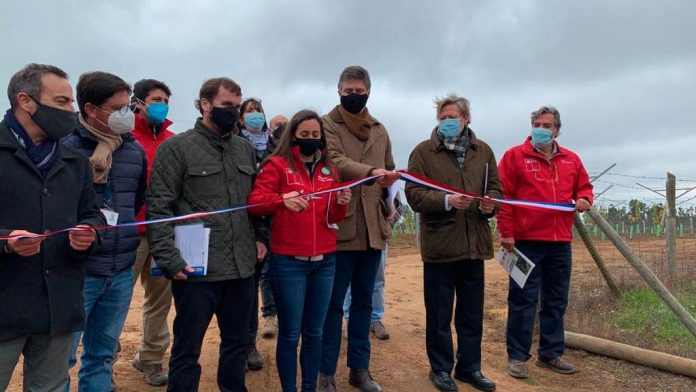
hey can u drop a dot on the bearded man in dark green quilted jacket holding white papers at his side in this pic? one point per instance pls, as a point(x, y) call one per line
point(204, 169)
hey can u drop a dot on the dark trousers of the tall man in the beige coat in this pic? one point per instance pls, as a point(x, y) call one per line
point(357, 268)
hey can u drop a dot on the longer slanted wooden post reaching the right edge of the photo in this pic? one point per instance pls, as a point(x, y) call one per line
point(653, 281)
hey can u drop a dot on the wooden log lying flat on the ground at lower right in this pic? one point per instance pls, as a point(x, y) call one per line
point(654, 359)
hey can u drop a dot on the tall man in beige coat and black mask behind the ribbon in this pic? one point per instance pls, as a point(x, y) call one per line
point(359, 146)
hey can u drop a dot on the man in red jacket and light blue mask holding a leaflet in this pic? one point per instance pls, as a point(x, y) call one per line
point(541, 170)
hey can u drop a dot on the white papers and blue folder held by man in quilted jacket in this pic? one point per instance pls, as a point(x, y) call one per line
point(193, 243)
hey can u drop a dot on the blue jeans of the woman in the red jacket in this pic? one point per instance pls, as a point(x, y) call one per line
point(302, 290)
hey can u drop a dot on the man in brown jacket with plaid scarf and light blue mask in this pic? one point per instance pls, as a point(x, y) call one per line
point(455, 239)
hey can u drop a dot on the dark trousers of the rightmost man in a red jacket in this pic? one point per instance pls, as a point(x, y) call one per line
point(552, 276)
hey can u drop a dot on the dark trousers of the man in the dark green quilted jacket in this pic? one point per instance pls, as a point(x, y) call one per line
point(196, 302)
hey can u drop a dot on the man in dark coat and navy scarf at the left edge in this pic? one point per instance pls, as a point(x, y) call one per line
point(44, 187)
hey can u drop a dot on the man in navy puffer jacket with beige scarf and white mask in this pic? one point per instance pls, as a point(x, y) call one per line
point(119, 168)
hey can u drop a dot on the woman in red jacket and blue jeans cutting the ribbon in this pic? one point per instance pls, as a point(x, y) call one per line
point(303, 241)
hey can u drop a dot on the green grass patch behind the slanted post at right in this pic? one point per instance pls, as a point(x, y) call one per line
point(644, 315)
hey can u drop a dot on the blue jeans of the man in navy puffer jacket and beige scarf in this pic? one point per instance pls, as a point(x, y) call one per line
point(107, 300)
